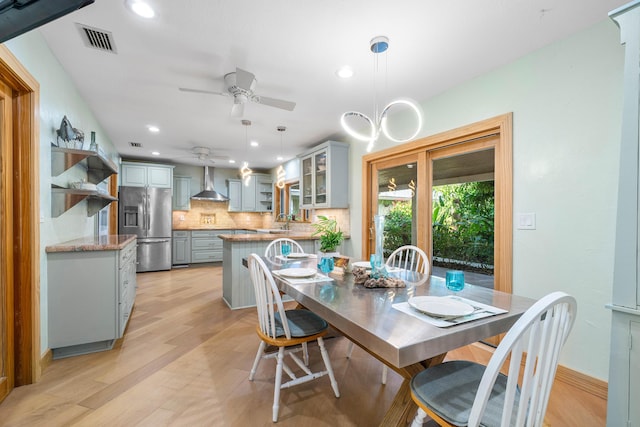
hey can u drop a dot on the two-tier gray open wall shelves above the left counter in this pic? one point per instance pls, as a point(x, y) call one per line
point(99, 168)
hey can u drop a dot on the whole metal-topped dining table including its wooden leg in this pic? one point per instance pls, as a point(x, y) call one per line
point(384, 323)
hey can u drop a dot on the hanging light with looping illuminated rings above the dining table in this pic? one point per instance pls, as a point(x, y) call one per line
point(379, 45)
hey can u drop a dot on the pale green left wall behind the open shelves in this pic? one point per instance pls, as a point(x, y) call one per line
point(58, 97)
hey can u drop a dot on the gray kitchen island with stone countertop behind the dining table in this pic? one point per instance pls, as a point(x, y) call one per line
point(237, 289)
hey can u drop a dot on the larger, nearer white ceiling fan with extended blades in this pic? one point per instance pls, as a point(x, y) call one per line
point(240, 84)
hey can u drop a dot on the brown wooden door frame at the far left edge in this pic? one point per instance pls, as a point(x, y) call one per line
point(24, 211)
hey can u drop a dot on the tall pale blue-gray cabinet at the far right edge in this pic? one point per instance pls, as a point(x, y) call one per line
point(624, 375)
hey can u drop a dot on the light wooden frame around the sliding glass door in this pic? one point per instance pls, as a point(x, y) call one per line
point(502, 127)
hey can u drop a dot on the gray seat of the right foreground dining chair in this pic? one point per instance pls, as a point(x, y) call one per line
point(449, 390)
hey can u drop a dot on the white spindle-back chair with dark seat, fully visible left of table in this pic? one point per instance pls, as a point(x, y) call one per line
point(286, 330)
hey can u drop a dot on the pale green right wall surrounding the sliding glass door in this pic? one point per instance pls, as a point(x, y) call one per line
point(566, 101)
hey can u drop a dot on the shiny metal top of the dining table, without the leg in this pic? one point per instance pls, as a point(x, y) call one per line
point(367, 317)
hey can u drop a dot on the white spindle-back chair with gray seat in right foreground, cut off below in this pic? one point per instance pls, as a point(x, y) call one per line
point(463, 393)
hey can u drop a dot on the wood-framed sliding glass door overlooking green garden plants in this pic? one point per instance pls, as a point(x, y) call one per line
point(450, 195)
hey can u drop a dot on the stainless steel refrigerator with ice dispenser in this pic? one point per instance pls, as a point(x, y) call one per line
point(146, 212)
